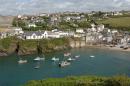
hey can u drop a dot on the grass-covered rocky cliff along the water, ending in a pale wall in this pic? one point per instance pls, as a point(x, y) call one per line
point(24, 47)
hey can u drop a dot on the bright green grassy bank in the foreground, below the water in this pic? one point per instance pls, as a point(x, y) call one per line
point(83, 81)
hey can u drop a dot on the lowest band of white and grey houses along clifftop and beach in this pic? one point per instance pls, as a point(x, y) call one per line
point(97, 34)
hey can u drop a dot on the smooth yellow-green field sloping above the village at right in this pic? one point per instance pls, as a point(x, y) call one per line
point(120, 22)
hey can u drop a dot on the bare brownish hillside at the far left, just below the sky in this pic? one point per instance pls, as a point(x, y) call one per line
point(6, 21)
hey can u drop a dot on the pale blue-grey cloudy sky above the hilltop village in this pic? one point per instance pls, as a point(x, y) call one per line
point(15, 7)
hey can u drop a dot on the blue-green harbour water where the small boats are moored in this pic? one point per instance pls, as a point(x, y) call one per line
point(92, 61)
